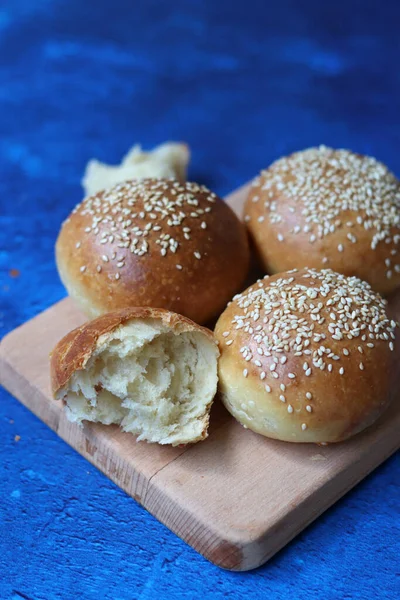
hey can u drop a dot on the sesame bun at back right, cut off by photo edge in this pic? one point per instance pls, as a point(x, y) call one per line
point(326, 208)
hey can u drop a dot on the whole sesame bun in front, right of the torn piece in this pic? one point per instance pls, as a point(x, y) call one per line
point(307, 356)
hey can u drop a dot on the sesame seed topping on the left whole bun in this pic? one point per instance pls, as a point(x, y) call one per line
point(125, 215)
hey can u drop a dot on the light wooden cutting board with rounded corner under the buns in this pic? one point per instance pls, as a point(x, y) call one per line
point(237, 498)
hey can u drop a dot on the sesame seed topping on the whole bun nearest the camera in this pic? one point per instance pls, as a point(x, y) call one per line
point(284, 317)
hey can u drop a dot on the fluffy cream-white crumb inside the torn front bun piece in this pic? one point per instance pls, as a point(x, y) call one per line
point(152, 382)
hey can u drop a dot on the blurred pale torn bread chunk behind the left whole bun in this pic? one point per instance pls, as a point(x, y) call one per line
point(169, 160)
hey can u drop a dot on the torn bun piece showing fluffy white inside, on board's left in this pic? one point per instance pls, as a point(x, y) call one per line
point(150, 371)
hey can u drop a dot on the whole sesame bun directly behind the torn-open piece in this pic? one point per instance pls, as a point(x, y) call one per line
point(154, 243)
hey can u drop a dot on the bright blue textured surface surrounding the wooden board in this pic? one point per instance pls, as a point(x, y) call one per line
point(242, 82)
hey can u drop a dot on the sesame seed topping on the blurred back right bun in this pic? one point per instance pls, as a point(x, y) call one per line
point(325, 184)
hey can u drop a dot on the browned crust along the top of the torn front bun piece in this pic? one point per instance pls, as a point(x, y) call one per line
point(75, 349)
